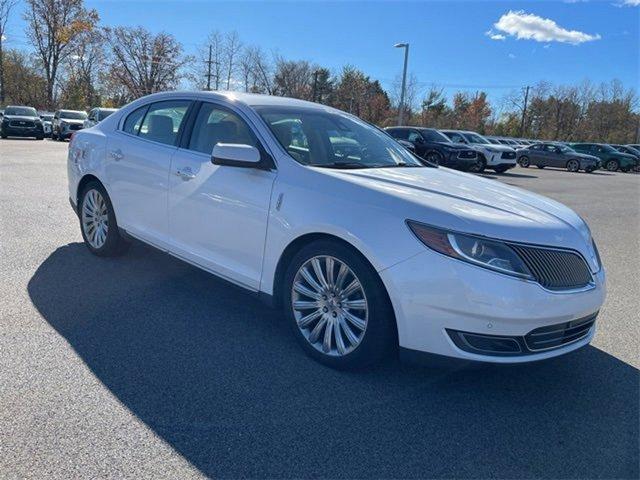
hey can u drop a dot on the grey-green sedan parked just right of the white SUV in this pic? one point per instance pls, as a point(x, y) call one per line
point(556, 155)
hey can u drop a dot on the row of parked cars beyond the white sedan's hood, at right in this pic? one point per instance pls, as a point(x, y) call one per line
point(470, 151)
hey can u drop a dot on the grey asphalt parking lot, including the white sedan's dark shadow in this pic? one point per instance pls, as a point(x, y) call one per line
point(143, 366)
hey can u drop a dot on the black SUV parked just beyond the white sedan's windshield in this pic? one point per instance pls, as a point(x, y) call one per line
point(436, 148)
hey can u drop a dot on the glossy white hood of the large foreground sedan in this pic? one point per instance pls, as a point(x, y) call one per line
point(462, 202)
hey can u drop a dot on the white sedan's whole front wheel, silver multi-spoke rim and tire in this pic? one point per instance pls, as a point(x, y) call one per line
point(358, 347)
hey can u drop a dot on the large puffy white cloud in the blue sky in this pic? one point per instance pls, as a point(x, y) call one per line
point(526, 26)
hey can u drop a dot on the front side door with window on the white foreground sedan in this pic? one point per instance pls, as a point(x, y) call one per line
point(218, 214)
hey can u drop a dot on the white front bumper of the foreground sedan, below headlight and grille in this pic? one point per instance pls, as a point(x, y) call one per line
point(434, 296)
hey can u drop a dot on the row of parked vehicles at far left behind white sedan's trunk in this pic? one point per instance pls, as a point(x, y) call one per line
point(24, 121)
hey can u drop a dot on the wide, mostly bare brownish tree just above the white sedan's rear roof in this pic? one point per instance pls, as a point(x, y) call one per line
point(143, 62)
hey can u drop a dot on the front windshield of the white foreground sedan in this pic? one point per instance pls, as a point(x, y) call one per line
point(319, 138)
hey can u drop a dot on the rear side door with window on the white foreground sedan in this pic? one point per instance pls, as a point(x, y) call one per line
point(137, 168)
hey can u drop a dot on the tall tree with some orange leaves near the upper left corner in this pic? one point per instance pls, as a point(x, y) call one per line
point(55, 27)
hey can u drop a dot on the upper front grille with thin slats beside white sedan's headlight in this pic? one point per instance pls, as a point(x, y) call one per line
point(555, 269)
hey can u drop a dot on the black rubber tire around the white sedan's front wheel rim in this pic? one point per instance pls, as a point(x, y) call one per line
point(380, 336)
